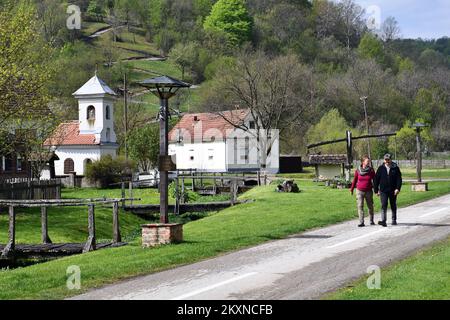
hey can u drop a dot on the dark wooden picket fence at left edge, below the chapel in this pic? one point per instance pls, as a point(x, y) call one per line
point(29, 189)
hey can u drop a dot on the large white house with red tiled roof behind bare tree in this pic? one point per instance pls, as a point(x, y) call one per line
point(221, 142)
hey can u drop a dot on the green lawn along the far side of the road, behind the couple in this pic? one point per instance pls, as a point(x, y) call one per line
point(271, 216)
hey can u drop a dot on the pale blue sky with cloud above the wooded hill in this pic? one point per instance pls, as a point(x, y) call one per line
point(424, 19)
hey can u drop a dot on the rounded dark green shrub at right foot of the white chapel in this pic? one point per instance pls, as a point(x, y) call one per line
point(108, 171)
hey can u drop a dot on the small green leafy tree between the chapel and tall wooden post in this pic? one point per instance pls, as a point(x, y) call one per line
point(143, 144)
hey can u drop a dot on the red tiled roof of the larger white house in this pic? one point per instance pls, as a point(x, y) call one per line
point(207, 122)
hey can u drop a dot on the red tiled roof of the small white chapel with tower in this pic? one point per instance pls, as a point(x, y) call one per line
point(68, 134)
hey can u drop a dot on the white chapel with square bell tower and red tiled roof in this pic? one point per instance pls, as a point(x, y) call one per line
point(77, 143)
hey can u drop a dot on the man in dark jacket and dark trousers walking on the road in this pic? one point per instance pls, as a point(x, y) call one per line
point(387, 185)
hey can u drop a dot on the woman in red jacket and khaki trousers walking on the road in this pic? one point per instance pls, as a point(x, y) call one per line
point(363, 182)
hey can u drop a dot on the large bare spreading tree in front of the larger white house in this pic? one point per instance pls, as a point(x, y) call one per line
point(276, 91)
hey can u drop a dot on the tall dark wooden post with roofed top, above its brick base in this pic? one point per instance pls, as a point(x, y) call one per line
point(164, 88)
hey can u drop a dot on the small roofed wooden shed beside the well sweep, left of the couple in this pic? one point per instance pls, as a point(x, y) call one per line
point(329, 166)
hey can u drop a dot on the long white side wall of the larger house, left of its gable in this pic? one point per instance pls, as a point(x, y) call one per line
point(206, 156)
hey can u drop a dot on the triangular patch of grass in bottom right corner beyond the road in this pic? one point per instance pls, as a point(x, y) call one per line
point(424, 276)
